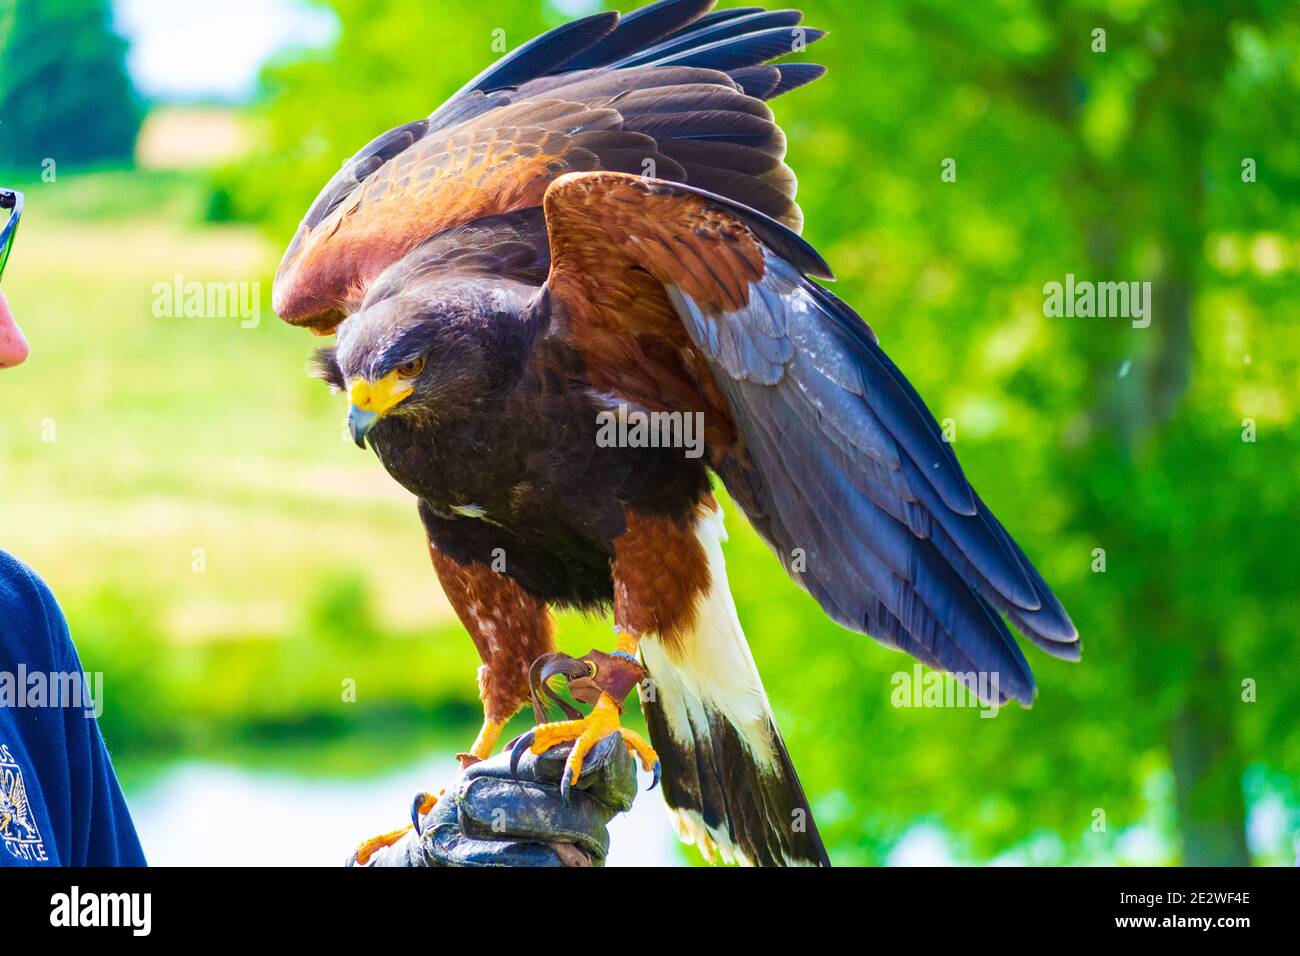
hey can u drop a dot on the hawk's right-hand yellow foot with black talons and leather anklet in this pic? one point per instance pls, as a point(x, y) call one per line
point(614, 676)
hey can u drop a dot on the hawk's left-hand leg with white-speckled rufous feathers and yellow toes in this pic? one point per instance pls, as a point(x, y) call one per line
point(510, 630)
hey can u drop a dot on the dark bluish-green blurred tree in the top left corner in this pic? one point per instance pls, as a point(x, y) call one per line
point(64, 89)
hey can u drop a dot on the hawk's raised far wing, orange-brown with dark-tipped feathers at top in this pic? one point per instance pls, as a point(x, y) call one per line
point(668, 90)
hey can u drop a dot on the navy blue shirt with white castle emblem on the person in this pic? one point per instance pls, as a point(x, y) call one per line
point(60, 803)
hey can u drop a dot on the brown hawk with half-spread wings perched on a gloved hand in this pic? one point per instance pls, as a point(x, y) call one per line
point(603, 224)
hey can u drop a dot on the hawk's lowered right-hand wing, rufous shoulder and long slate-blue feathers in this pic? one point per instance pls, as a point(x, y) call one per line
point(834, 458)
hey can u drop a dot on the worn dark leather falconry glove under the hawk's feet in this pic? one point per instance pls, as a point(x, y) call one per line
point(489, 819)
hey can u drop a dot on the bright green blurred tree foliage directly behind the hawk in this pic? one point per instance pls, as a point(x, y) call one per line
point(1150, 473)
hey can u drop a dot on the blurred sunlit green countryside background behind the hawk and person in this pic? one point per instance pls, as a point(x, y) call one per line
point(233, 565)
